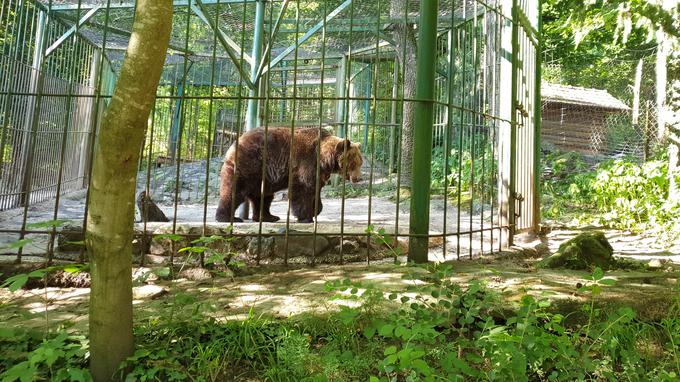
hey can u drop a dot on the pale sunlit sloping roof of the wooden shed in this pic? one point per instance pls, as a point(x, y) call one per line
point(580, 96)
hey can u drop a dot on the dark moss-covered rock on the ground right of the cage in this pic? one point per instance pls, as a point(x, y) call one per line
point(587, 250)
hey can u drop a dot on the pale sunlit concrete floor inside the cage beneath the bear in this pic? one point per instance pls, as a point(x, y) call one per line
point(383, 214)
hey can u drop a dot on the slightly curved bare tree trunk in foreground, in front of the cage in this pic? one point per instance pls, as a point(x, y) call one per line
point(112, 189)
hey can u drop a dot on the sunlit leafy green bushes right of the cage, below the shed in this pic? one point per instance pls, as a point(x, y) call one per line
point(619, 193)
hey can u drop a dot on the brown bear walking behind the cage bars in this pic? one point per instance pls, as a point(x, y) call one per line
point(241, 180)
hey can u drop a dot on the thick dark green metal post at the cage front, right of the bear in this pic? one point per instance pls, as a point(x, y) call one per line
point(422, 134)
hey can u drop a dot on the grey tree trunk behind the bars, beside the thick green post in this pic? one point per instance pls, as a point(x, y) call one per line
point(406, 48)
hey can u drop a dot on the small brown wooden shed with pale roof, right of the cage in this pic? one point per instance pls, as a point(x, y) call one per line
point(575, 118)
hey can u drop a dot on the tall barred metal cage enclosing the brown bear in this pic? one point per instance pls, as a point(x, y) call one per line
point(333, 69)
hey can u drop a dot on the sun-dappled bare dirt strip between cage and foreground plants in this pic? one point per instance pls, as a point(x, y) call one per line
point(285, 292)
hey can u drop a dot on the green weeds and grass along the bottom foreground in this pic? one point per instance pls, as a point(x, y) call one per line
point(433, 330)
